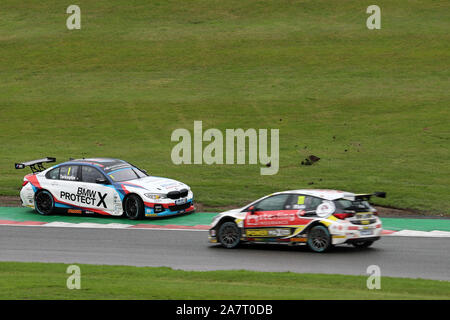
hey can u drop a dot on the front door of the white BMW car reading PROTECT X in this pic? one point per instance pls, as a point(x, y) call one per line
point(96, 192)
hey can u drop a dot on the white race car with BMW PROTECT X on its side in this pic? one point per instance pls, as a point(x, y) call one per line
point(103, 186)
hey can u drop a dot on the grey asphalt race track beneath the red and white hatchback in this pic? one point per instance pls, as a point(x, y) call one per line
point(427, 258)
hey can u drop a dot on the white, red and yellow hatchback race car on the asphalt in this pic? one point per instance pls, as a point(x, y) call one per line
point(318, 218)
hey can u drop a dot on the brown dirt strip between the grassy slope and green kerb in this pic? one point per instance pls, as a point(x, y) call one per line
point(13, 201)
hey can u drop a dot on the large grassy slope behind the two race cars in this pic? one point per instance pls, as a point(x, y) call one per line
point(139, 69)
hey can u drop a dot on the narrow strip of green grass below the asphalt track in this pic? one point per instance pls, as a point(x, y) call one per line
point(20, 280)
